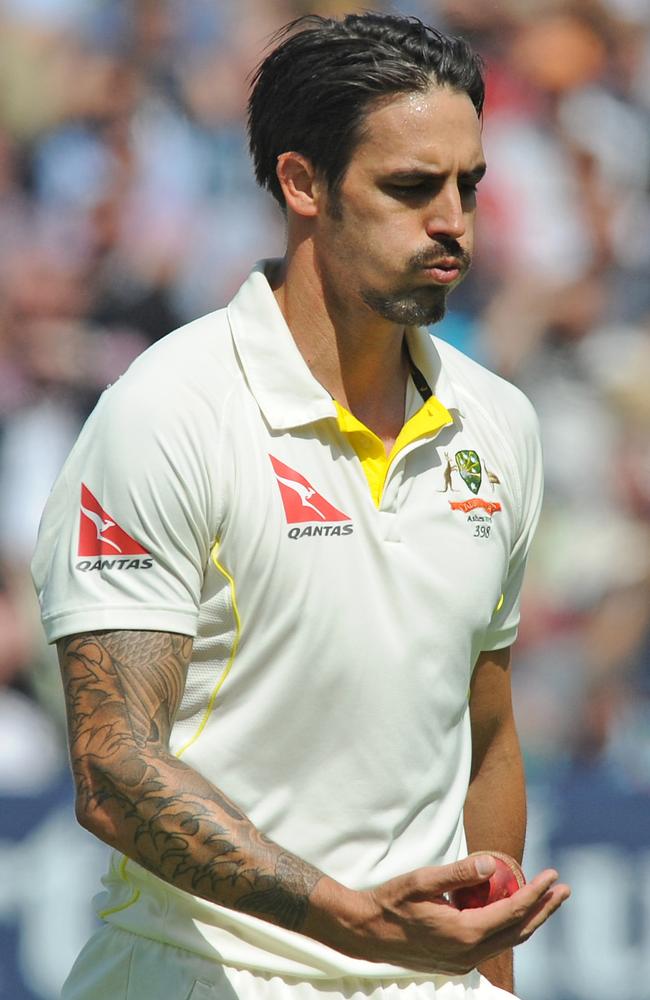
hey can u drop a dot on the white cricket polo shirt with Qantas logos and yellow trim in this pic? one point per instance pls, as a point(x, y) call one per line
point(338, 598)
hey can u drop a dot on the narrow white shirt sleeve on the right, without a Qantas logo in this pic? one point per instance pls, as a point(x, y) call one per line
point(524, 431)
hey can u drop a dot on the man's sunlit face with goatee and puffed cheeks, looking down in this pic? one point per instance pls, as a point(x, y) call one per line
point(400, 236)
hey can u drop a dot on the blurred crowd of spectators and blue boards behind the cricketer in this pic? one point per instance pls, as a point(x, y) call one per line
point(128, 206)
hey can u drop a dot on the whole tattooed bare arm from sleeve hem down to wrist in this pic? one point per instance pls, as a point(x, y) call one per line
point(122, 691)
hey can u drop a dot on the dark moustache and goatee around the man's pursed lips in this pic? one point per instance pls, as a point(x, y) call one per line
point(418, 306)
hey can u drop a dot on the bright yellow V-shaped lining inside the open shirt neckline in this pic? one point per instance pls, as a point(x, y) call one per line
point(429, 419)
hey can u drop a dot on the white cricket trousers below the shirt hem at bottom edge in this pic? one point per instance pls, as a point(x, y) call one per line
point(117, 965)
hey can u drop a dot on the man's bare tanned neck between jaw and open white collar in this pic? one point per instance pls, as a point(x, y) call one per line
point(360, 358)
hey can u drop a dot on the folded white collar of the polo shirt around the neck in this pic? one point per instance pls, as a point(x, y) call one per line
point(285, 390)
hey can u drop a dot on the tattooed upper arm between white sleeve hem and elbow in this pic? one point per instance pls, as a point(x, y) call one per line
point(122, 686)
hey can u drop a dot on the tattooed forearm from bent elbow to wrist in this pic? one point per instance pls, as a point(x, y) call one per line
point(165, 816)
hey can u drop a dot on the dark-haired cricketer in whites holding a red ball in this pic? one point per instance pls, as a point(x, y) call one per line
point(284, 647)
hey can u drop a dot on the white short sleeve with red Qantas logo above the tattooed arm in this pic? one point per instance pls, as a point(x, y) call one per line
point(129, 525)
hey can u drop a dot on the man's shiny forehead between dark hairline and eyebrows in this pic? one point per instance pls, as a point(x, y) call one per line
point(438, 127)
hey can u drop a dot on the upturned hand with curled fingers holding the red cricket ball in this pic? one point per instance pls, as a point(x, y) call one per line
point(408, 922)
